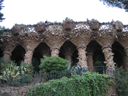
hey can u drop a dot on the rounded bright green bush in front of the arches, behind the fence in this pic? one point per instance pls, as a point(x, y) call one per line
point(49, 64)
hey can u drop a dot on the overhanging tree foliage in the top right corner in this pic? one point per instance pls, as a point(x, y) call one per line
point(117, 3)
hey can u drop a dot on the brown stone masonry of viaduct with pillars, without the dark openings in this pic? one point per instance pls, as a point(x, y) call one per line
point(80, 34)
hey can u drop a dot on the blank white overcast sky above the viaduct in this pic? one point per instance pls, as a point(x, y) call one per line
point(34, 11)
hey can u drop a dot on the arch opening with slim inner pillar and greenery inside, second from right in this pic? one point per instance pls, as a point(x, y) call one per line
point(95, 55)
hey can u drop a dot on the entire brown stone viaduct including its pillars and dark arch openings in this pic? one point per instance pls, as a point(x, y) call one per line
point(78, 42)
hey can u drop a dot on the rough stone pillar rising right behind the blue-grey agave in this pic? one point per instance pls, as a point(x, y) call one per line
point(82, 56)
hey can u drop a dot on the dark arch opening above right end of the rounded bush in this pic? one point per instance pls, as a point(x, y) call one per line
point(68, 51)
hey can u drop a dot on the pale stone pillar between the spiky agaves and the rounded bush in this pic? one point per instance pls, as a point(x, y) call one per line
point(28, 55)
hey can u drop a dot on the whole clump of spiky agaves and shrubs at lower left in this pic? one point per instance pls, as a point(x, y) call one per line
point(15, 75)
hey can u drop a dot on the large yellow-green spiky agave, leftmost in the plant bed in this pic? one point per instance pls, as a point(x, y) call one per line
point(11, 72)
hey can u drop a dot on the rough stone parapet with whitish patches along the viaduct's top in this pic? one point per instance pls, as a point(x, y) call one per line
point(40, 28)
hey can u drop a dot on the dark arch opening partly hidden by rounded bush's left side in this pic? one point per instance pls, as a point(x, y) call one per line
point(41, 50)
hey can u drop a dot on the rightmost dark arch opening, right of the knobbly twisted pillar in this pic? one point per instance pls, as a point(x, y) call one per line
point(119, 54)
